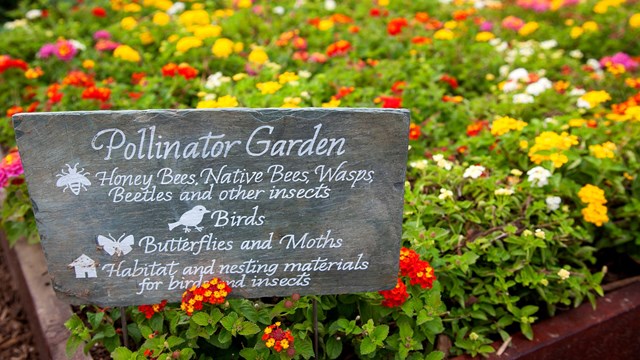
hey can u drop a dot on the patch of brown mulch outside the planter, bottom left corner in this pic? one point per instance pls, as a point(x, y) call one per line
point(16, 341)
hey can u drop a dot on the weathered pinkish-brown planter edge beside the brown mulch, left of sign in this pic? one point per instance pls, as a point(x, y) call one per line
point(45, 312)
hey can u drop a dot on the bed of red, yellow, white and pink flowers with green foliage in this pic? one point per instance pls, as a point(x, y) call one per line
point(522, 168)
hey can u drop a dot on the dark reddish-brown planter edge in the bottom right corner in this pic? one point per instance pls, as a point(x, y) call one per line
point(579, 333)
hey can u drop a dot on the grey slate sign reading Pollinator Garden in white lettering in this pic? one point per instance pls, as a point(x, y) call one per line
point(133, 207)
